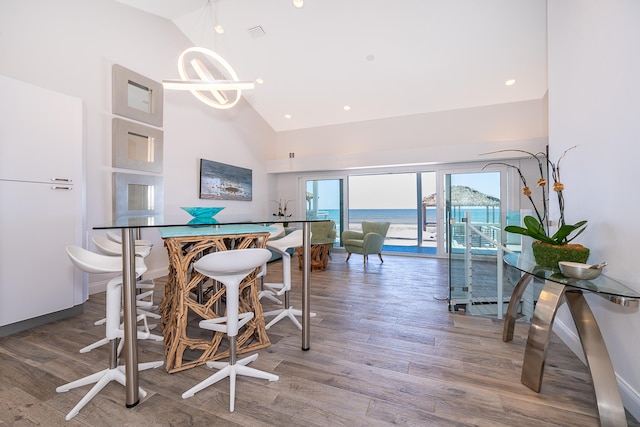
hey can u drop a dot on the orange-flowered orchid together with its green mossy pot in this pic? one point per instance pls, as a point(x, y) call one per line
point(549, 249)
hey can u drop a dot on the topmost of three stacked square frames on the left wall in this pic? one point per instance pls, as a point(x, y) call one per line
point(136, 96)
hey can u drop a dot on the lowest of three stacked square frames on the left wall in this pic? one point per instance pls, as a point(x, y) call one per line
point(137, 194)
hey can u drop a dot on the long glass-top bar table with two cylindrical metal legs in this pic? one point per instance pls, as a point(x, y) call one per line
point(130, 224)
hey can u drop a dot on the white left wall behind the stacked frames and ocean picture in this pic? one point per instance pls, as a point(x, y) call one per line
point(70, 46)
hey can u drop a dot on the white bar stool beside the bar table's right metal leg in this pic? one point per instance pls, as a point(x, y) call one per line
point(290, 241)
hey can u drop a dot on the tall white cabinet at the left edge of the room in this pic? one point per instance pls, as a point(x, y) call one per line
point(41, 135)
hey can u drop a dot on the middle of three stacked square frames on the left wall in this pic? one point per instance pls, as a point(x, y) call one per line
point(136, 146)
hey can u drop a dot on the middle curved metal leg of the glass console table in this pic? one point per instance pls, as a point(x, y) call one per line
point(539, 332)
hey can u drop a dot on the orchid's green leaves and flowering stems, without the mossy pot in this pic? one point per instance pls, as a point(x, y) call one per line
point(538, 227)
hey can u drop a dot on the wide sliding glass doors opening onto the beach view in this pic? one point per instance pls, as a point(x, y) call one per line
point(420, 205)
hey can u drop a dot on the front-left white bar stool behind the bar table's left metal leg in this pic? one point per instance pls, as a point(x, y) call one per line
point(91, 262)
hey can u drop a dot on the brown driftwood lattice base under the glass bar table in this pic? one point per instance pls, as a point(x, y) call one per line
point(180, 306)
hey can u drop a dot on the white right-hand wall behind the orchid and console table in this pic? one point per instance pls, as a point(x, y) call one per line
point(594, 94)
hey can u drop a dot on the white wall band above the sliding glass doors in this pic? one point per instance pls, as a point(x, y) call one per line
point(440, 137)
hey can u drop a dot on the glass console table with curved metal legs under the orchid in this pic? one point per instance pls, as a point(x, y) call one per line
point(557, 289)
